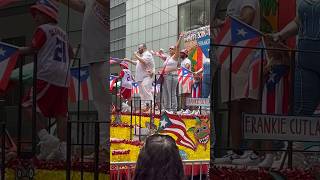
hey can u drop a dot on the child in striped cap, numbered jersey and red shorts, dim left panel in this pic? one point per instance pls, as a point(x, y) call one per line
point(50, 44)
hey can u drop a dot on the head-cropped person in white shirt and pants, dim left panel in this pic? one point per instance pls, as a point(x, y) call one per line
point(94, 52)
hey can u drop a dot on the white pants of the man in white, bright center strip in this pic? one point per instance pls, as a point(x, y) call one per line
point(146, 91)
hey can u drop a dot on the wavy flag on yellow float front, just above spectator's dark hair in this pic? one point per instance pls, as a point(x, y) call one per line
point(173, 124)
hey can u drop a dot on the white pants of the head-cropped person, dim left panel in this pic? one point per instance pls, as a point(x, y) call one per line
point(101, 97)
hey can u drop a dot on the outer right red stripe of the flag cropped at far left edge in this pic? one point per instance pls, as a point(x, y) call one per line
point(9, 68)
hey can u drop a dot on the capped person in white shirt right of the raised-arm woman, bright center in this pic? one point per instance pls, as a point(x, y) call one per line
point(184, 92)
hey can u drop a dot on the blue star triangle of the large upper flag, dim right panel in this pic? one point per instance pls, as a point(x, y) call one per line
point(241, 31)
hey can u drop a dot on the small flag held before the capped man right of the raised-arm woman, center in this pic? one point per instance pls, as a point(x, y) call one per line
point(185, 80)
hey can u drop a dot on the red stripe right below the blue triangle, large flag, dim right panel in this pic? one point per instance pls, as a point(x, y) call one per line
point(237, 63)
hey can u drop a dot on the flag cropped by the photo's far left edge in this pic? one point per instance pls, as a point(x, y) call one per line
point(8, 58)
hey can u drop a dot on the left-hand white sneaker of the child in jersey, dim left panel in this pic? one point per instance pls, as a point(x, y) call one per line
point(48, 144)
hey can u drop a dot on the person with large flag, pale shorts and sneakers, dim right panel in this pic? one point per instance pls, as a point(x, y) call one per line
point(238, 29)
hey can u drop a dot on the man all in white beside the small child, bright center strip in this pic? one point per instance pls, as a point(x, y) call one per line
point(145, 70)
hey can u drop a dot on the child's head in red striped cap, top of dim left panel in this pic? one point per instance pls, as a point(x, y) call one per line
point(45, 11)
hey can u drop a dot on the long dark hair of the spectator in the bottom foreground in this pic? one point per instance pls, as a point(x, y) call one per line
point(159, 159)
